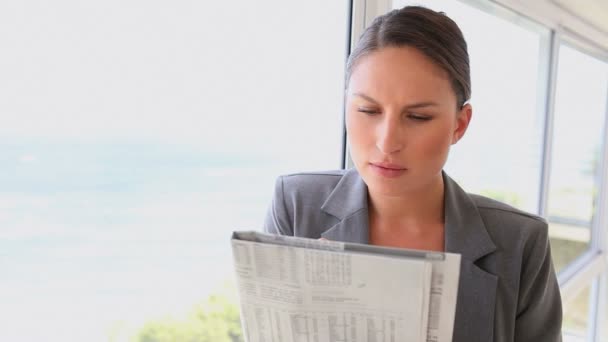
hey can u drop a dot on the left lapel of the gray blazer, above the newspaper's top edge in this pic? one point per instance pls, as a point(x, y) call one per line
point(348, 203)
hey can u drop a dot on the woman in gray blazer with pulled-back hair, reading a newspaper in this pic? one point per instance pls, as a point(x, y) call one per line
point(407, 86)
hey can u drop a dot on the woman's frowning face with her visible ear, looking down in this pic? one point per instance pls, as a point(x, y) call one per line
point(401, 120)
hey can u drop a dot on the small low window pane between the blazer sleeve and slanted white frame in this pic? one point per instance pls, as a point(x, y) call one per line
point(576, 317)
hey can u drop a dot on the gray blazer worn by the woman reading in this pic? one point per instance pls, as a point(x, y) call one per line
point(508, 290)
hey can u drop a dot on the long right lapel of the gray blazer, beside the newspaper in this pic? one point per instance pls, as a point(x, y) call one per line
point(465, 233)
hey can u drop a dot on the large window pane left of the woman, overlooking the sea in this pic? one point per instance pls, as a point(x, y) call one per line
point(140, 134)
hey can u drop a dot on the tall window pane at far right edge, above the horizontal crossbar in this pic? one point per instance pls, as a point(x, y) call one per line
point(580, 109)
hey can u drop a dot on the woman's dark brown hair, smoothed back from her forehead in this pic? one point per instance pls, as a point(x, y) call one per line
point(433, 33)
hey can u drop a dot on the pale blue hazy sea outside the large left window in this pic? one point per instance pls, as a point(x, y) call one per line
point(98, 239)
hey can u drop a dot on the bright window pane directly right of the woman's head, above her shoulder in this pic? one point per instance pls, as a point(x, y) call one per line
point(500, 156)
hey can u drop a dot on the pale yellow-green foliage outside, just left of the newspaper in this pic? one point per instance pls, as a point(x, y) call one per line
point(214, 320)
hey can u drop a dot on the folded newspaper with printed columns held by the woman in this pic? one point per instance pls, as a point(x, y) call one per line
point(304, 290)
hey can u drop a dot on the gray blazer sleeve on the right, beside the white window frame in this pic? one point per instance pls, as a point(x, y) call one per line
point(539, 313)
